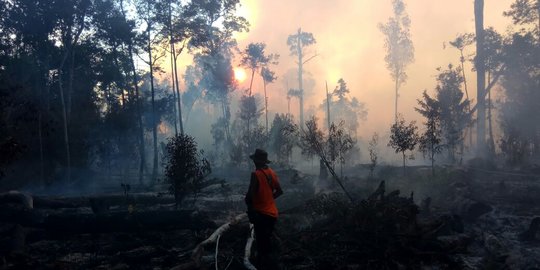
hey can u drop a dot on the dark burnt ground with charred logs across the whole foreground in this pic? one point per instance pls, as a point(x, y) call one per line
point(460, 218)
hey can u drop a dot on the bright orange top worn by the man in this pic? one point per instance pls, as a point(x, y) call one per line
point(263, 197)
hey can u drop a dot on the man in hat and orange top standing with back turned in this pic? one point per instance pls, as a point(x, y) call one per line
point(262, 211)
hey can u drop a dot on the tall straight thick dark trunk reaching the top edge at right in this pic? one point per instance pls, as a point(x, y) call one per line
point(481, 78)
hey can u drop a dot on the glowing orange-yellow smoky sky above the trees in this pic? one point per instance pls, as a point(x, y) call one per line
point(350, 46)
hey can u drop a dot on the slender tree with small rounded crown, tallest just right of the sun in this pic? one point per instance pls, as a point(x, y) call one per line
point(297, 44)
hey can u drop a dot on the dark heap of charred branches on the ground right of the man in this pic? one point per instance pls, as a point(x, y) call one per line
point(380, 232)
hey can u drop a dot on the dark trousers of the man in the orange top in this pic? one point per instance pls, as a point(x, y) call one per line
point(264, 227)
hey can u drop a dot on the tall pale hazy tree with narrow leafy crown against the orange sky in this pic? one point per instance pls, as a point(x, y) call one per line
point(399, 47)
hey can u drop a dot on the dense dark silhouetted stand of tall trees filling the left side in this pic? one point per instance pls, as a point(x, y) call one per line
point(78, 81)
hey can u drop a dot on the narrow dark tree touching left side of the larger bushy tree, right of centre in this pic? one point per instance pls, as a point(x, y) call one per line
point(430, 140)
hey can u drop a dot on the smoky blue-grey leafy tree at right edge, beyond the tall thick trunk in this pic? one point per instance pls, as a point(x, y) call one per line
point(519, 110)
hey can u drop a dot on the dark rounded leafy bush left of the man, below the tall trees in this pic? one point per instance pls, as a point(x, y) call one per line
point(185, 167)
